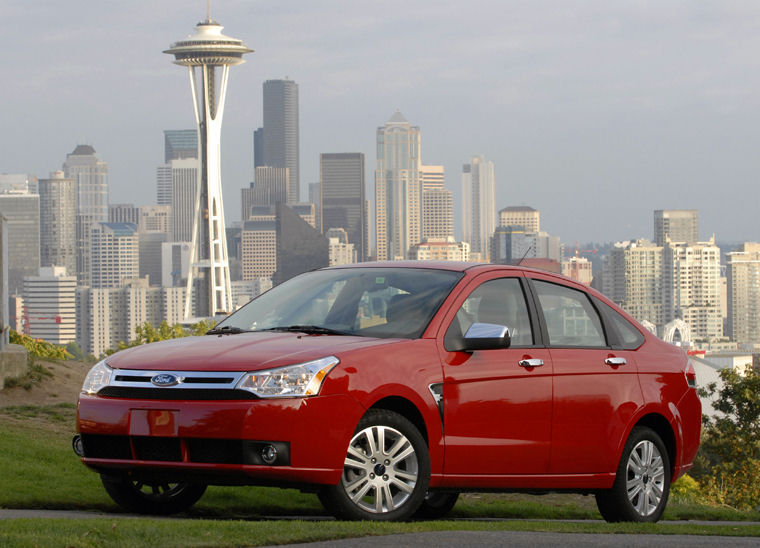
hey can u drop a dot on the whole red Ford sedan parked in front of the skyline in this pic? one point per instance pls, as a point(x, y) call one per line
point(389, 388)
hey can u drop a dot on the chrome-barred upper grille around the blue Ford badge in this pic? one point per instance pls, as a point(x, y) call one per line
point(195, 380)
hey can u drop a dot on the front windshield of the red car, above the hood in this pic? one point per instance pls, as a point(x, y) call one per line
point(369, 302)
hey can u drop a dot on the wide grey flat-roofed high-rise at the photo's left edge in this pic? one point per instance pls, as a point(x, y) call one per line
point(22, 212)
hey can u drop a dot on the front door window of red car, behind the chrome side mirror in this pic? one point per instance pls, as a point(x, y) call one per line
point(500, 302)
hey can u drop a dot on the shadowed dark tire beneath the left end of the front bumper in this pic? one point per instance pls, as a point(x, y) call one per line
point(157, 498)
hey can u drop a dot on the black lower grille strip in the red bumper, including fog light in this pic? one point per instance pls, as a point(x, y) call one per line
point(197, 450)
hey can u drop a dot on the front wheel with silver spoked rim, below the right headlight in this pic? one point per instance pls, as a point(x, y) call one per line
point(381, 483)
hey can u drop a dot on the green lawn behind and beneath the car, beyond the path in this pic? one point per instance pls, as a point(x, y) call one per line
point(40, 470)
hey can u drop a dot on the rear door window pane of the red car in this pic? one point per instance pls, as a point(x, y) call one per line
point(571, 319)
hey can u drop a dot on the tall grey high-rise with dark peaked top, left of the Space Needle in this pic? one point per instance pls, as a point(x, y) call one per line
point(91, 175)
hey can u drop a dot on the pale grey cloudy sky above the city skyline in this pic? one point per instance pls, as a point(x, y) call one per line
point(575, 107)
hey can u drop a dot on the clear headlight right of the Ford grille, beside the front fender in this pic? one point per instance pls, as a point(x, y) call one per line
point(293, 381)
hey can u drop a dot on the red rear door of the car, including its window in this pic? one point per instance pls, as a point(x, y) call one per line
point(596, 387)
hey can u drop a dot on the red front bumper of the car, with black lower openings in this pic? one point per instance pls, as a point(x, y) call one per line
point(219, 442)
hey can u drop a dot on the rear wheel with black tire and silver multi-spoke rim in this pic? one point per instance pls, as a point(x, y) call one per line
point(645, 469)
